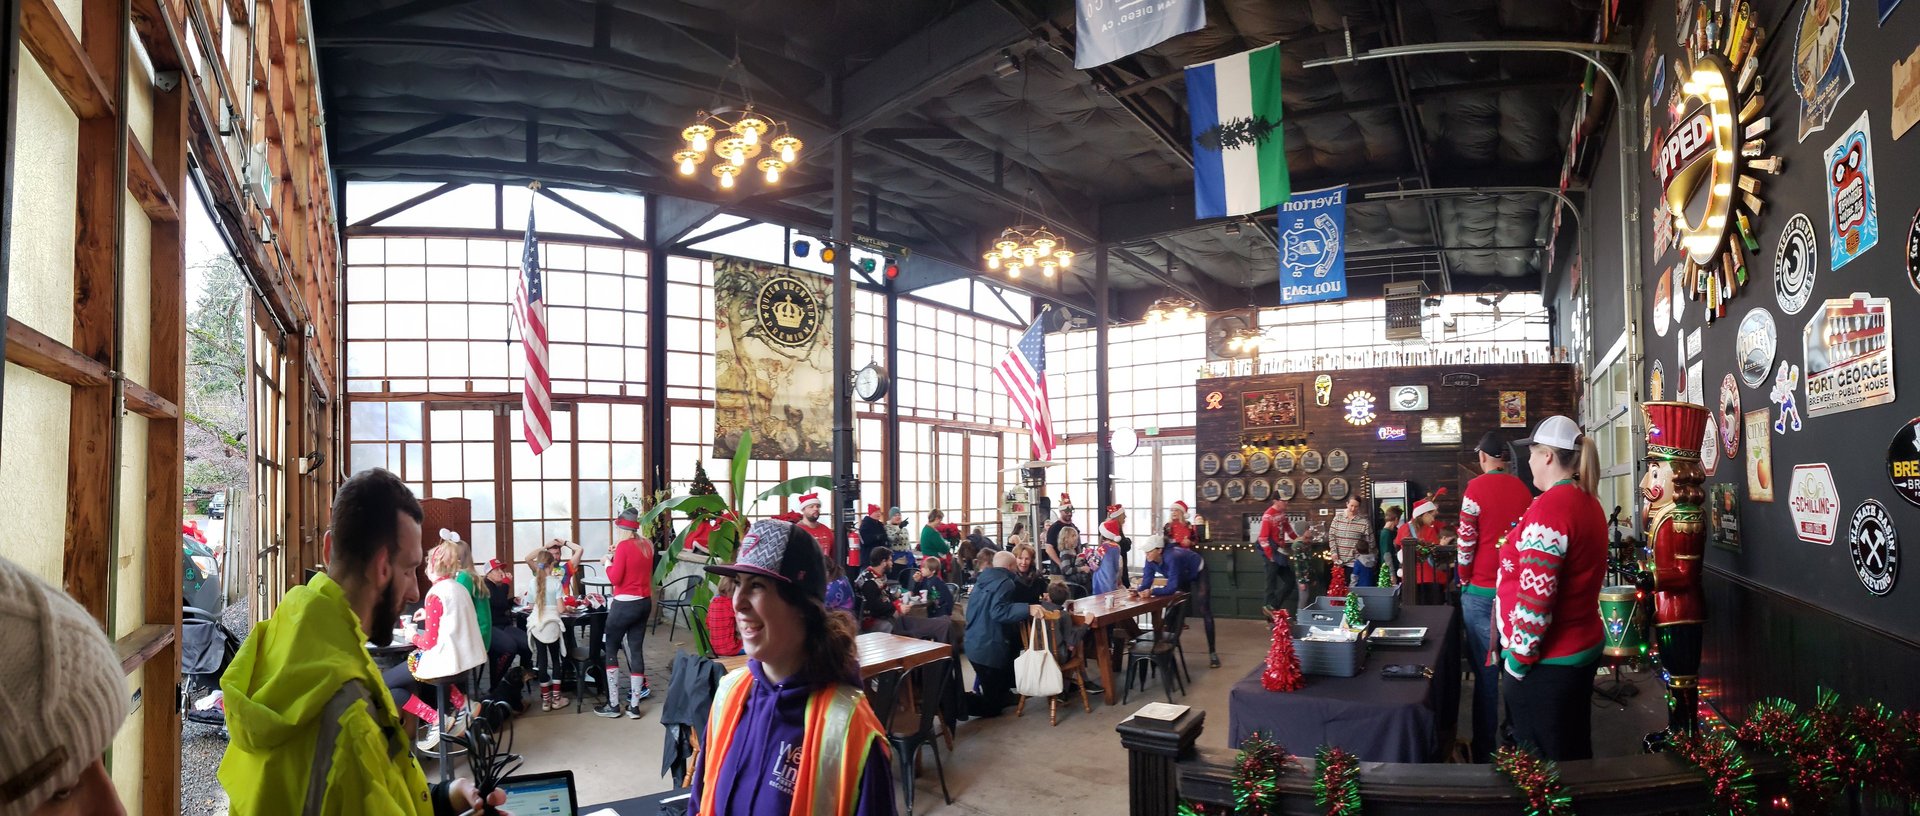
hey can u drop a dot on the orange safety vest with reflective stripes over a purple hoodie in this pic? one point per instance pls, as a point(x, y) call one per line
point(840, 734)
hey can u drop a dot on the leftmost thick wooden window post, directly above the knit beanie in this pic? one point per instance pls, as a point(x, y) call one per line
point(99, 260)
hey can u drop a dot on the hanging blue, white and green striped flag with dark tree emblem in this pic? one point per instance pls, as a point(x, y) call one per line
point(1239, 155)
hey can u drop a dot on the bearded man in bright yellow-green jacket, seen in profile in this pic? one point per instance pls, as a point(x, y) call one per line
point(304, 700)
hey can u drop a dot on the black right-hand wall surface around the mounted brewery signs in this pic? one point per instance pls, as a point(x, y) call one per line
point(1792, 615)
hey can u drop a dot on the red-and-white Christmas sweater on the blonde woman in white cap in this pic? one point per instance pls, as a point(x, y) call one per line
point(1550, 577)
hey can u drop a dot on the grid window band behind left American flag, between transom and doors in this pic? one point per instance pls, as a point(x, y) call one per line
point(437, 316)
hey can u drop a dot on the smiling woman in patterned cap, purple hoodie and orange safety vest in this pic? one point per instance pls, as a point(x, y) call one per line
point(792, 732)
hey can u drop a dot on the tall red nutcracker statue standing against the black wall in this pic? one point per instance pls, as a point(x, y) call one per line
point(1677, 529)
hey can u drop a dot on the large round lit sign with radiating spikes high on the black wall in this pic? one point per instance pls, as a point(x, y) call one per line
point(1712, 160)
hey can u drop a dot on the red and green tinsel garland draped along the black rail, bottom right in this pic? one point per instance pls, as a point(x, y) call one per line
point(1831, 750)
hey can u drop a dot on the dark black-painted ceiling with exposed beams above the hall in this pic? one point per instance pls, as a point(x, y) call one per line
point(594, 95)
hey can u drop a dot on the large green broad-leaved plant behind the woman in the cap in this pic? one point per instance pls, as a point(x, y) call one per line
point(731, 519)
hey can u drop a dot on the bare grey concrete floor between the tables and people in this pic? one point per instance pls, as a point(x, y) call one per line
point(999, 767)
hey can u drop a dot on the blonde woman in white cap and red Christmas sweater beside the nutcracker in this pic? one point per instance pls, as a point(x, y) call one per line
point(1548, 598)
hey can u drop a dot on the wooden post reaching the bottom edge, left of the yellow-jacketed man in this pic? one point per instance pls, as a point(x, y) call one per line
point(160, 752)
